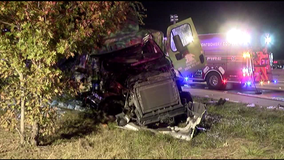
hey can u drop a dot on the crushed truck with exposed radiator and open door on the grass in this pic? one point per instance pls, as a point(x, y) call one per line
point(133, 80)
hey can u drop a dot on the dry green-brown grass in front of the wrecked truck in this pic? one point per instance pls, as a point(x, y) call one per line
point(235, 131)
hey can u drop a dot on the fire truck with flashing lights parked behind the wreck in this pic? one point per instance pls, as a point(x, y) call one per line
point(227, 62)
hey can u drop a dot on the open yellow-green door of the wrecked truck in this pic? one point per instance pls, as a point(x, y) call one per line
point(187, 57)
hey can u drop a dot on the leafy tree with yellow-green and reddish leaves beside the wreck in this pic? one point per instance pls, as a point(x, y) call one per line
point(39, 34)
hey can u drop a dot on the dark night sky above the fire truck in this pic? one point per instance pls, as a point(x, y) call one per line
point(259, 17)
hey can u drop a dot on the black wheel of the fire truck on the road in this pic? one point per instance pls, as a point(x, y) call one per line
point(214, 81)
